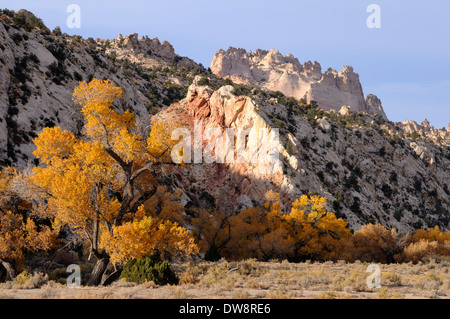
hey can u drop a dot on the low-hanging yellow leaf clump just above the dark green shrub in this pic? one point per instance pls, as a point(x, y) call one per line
point(145, 236)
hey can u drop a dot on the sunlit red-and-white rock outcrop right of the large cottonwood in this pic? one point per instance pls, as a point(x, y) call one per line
point(233, 183)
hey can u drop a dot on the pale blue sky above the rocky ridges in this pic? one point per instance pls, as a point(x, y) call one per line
point(406, 62)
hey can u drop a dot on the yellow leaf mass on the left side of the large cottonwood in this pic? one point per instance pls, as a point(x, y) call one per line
point(74, 180)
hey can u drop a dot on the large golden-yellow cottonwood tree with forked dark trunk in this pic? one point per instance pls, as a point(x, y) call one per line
point(98, 183)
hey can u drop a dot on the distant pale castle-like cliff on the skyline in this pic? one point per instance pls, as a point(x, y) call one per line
point(276, 72)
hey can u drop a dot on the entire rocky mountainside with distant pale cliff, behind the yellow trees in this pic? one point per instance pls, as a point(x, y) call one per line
point(370, 169)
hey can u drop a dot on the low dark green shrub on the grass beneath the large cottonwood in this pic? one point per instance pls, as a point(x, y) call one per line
point(149, 269)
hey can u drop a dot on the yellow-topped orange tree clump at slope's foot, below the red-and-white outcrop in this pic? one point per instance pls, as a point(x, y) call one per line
point(307, 231)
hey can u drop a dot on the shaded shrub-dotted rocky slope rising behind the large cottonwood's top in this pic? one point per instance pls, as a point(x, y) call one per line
point(39, 70)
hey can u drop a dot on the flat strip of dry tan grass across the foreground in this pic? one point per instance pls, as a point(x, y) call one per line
point(258, 280)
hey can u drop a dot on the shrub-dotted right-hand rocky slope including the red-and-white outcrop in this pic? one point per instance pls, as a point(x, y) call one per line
point(367, 173)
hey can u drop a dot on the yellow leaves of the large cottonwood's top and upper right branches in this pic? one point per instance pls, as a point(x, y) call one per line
point(117, 131)
